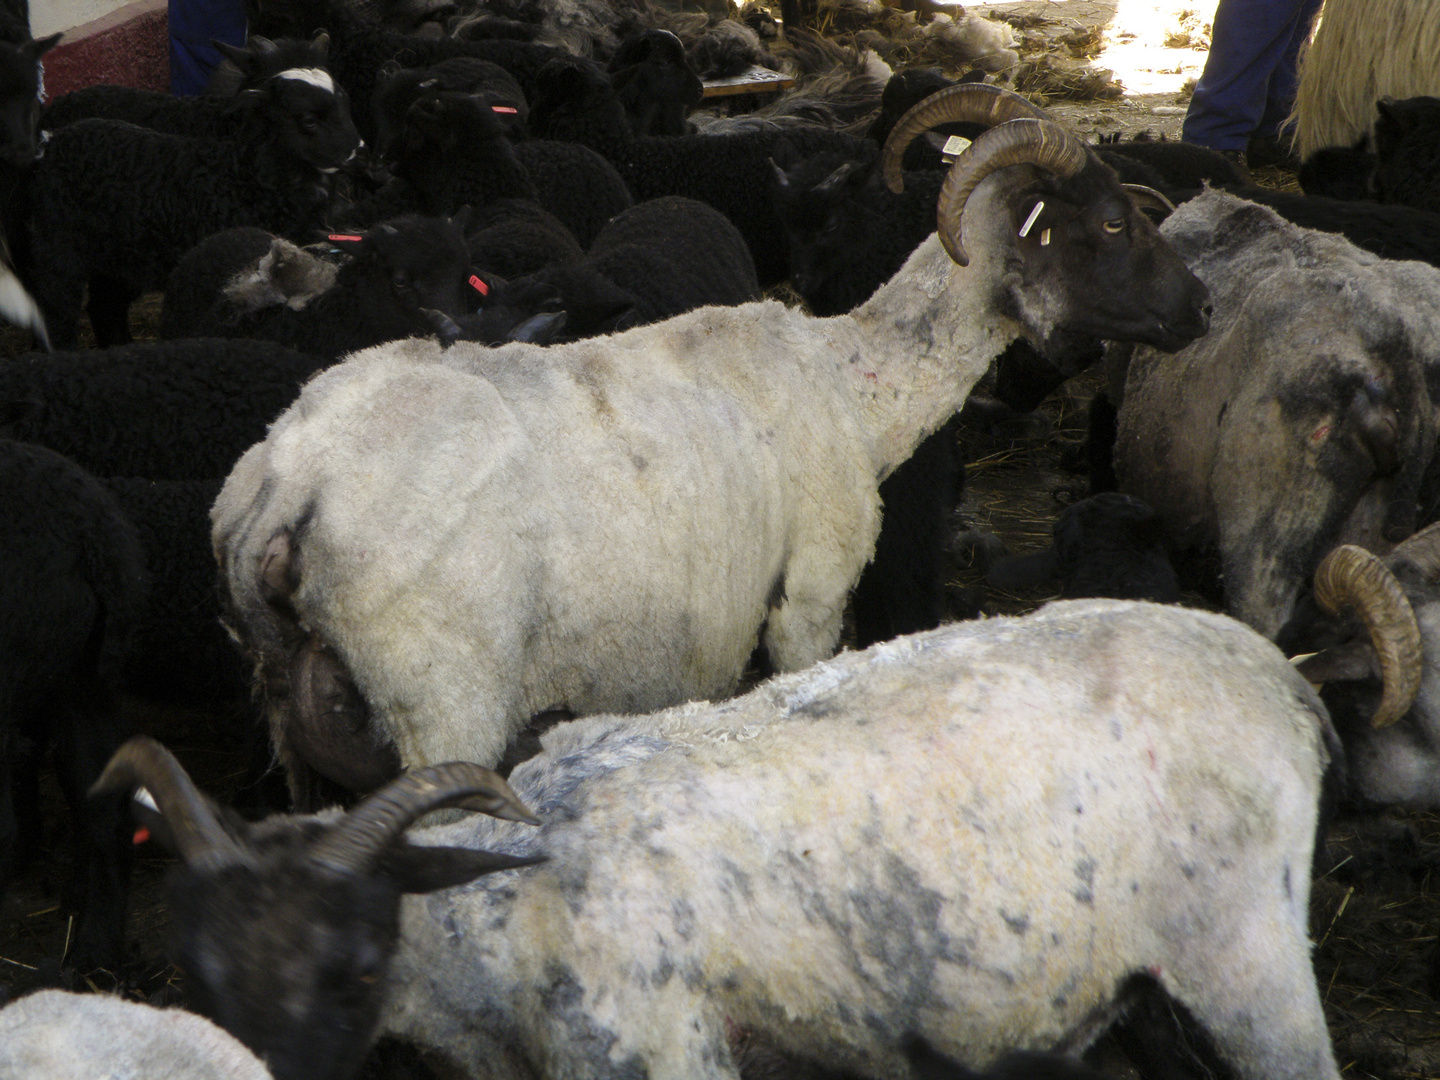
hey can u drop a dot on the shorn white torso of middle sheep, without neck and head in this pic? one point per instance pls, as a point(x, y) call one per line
point(492, 518)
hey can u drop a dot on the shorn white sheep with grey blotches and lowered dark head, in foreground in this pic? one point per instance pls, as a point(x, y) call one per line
point(830, 866)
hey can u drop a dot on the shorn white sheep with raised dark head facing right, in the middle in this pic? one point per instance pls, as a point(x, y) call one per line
point(626, 584)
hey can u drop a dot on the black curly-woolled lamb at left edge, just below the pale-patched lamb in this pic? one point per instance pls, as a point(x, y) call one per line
point(156, 410)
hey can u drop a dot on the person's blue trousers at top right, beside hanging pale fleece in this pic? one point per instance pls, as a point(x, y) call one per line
point(1251, 77)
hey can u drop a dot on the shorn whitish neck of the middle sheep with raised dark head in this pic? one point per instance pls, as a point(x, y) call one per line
point(934, 330)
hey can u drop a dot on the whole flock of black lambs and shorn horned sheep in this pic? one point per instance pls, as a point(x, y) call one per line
point(510, 477)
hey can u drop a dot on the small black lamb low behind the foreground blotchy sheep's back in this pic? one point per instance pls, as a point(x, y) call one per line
point(1108, 545)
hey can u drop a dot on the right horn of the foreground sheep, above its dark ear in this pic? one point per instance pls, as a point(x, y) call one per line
point(364, 836)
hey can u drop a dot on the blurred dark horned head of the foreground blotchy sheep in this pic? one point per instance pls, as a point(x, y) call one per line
point(286, 928)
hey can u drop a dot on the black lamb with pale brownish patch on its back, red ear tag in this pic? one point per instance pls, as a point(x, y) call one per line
point(400, 271)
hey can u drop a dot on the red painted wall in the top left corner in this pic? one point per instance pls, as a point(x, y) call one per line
point(130, 47)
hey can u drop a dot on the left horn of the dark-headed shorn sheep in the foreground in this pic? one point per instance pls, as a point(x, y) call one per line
point(188, 814)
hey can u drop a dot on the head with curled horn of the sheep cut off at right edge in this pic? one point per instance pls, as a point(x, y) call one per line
point(1377, 627)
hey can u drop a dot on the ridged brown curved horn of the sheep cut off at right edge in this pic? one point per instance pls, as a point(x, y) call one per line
point(1351, 577)
